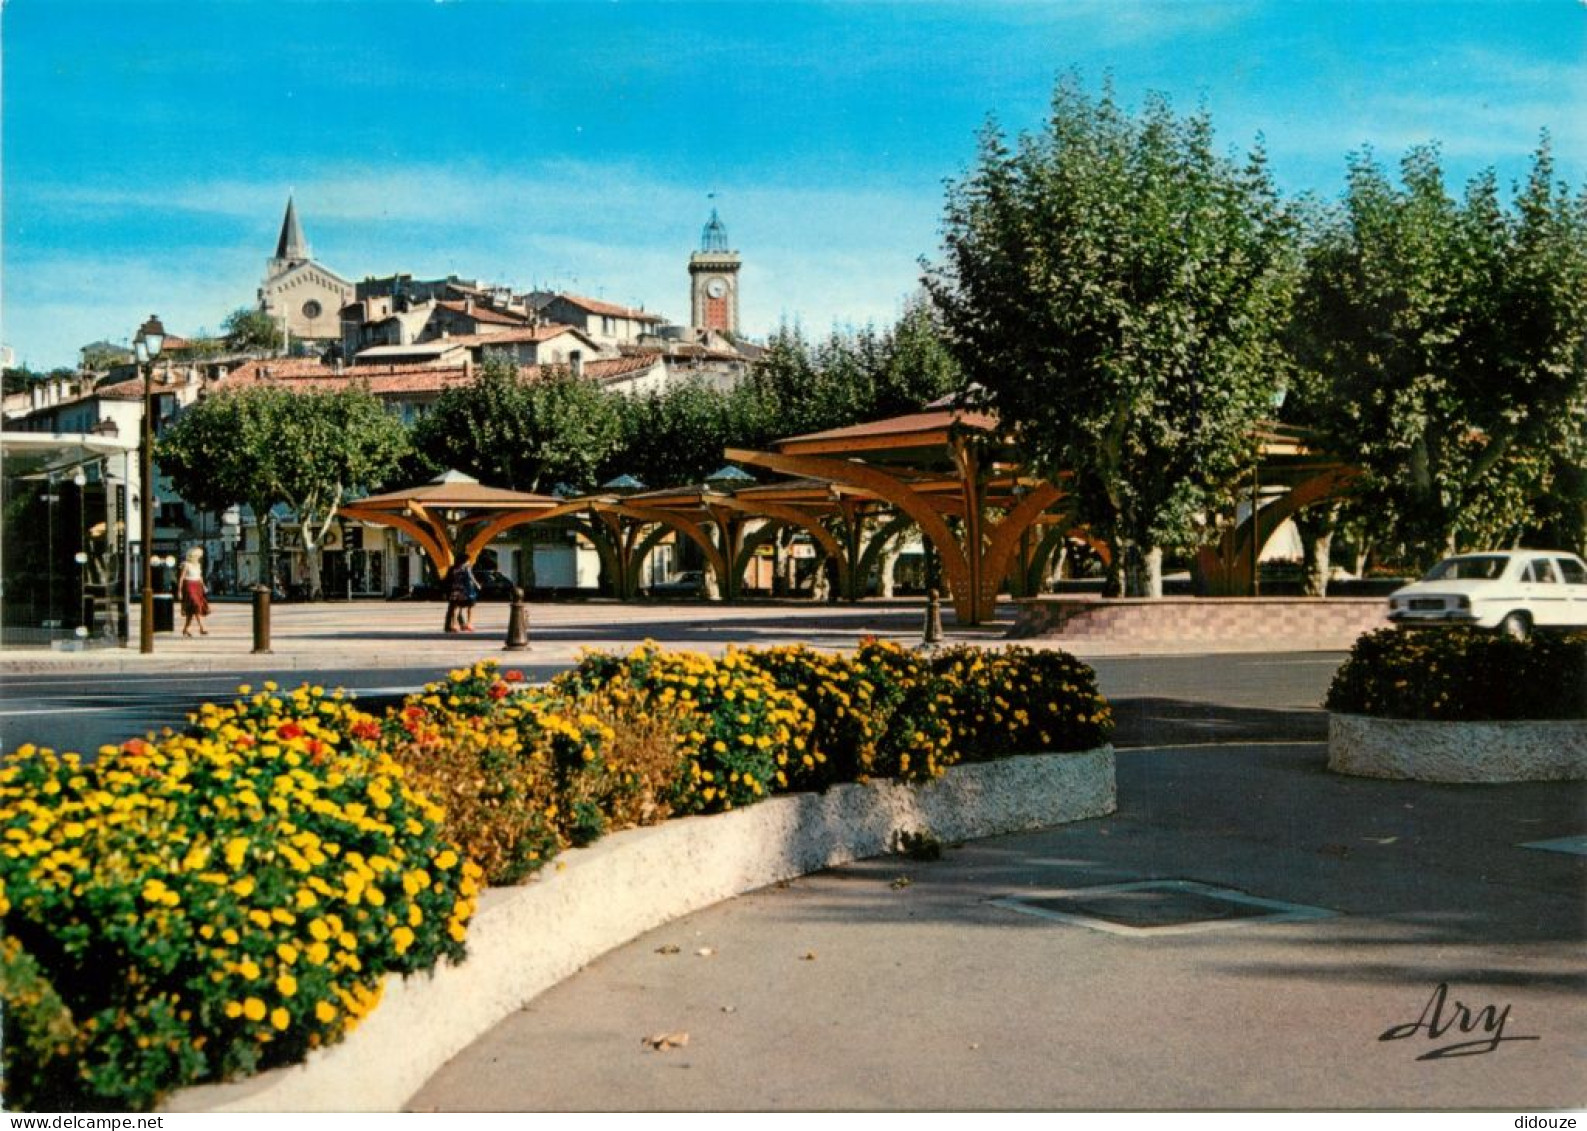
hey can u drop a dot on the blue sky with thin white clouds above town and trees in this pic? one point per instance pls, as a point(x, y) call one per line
point(150, 148)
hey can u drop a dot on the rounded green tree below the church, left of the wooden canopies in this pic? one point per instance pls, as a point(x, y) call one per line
point(267, 445)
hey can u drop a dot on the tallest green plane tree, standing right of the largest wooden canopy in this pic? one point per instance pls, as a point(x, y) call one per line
point(1116, 289)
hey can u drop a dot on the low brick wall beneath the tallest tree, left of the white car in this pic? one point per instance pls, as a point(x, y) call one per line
point(1167, 624)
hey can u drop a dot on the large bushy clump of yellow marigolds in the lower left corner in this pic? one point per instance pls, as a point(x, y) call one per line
point(213, 903)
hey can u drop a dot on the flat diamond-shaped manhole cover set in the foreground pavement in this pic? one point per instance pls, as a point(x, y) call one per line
point(1159, 908)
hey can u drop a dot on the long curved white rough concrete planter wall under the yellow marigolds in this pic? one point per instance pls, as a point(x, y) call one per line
point(529, 938)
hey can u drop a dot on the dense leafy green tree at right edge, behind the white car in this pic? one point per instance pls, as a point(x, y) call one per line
point(1442, 347)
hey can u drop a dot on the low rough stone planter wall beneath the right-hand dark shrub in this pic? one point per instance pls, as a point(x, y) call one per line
point(1426, 751)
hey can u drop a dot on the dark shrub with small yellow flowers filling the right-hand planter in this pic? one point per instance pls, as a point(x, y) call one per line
point(1462, 675)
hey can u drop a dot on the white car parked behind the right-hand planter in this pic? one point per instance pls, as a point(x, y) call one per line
point(1512, 591)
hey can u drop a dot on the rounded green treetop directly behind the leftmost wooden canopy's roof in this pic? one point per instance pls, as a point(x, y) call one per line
point(526, 435)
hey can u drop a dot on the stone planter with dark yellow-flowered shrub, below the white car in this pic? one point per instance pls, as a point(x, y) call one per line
point(1461, 707)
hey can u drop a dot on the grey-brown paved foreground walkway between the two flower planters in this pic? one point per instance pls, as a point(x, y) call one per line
point(905, 986)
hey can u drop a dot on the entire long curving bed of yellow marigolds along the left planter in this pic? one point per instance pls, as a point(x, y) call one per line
point(209, 905)
